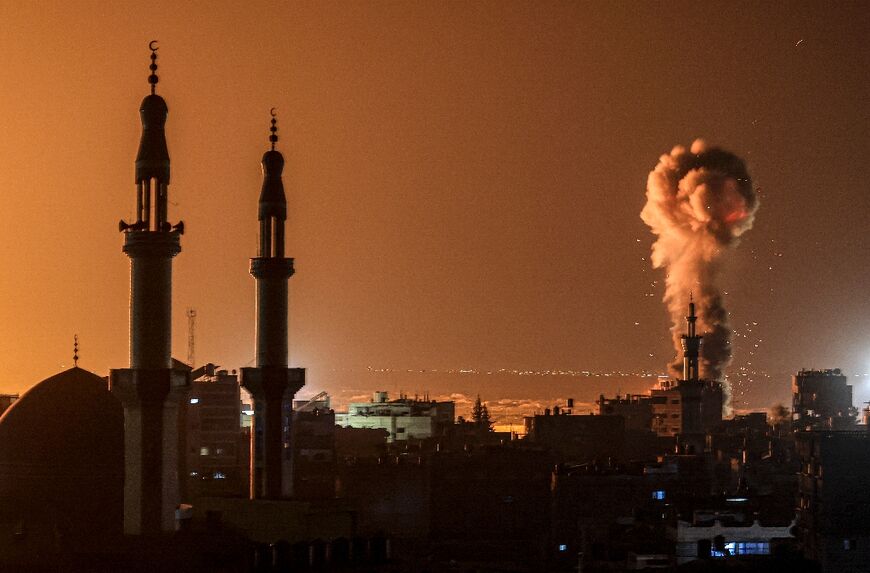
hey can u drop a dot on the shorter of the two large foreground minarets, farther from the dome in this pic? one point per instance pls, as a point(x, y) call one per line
point(271, 383)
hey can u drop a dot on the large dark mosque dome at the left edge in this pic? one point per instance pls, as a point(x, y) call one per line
point(61, 467)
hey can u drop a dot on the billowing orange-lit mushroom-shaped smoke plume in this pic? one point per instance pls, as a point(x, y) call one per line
point(699, 202)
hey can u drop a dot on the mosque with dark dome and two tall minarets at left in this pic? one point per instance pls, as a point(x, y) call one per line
point(87, 461)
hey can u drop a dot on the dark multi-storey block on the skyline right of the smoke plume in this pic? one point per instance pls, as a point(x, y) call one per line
point(821, 399)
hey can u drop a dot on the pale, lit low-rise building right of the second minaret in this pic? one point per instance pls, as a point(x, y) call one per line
point(404, 419)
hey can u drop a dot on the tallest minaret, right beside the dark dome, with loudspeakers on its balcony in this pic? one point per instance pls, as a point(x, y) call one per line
point(150, 390)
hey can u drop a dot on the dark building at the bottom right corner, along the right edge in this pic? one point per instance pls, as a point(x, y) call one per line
point(833, 520)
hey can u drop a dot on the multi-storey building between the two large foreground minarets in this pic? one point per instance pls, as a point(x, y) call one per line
point(217, 463)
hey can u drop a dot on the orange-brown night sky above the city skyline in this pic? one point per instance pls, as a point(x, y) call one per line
point(464, 181)
